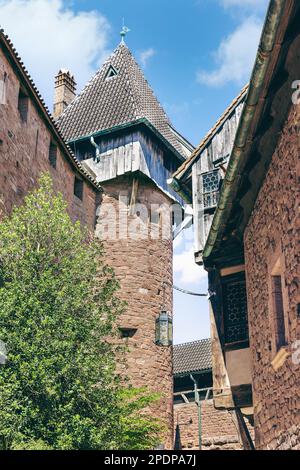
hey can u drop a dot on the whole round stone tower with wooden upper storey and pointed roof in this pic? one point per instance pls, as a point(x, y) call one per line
point(120, 133)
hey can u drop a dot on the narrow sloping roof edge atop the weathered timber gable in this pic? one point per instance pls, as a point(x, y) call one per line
point(186, 166)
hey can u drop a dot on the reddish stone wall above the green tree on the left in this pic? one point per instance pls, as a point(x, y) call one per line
point(24, 155)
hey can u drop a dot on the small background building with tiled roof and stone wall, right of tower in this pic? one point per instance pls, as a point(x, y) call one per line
point(197, 423)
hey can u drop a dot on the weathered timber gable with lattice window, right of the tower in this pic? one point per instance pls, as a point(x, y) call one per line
point(199, 179)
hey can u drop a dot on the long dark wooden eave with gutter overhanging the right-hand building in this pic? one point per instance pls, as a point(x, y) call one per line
point(263, 136)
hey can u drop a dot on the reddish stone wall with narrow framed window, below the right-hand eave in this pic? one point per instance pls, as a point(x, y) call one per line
point(272, 234)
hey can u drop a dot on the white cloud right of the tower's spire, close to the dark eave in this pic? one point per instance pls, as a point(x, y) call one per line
point(235, 56)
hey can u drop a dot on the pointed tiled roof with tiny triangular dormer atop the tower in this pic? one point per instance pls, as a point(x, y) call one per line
point(118, 94)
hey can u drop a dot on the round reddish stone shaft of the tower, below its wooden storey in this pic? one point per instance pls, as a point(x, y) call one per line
point(142, 265)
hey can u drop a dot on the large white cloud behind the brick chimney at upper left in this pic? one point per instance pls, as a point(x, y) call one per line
point(48, 35)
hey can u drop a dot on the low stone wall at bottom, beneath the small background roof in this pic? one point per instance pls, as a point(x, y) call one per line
point(219, 427)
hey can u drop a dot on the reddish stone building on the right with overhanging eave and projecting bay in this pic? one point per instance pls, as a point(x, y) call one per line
point(251, 250)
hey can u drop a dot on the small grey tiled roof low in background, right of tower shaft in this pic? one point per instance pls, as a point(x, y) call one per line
point(192, 357)
